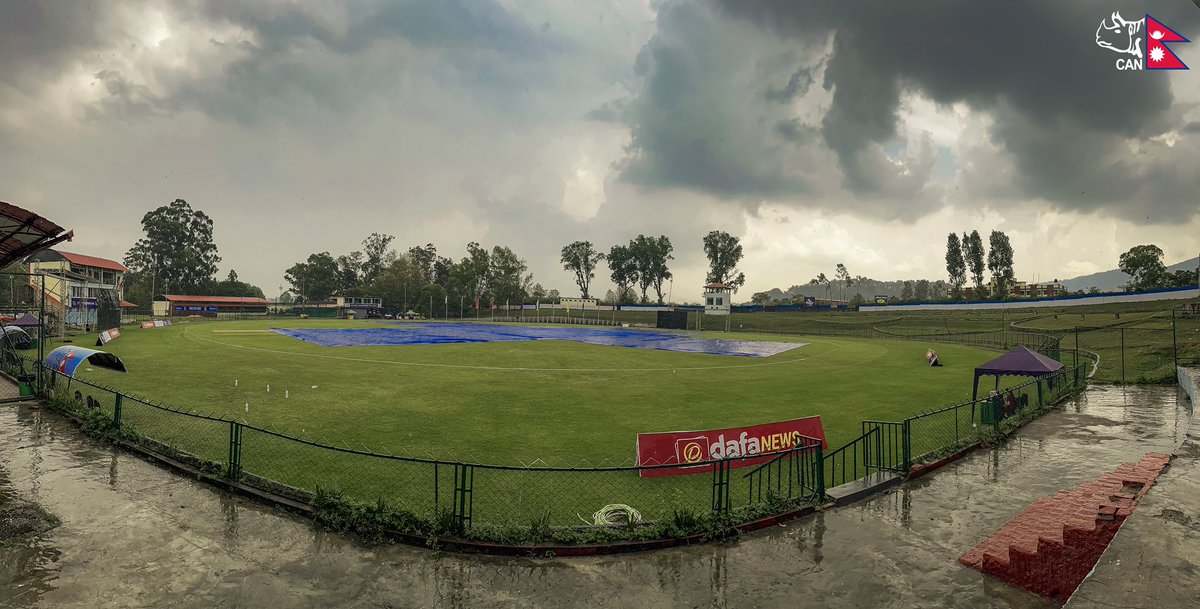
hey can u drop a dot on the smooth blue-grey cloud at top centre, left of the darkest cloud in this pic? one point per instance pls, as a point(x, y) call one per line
point(695, 125)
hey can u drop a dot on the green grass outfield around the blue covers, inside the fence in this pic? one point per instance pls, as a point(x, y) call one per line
point(508, 403)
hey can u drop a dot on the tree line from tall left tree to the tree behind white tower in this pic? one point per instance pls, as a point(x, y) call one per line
point(178, 255)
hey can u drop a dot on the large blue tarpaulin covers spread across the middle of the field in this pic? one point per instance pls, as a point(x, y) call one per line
point(445, 334)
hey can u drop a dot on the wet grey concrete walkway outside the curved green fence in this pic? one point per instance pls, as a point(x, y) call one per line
point(135, 535)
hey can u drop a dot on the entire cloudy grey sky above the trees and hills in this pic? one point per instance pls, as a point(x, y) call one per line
point(820, 132)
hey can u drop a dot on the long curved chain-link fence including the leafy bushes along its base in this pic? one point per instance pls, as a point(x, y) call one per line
point(454, 503)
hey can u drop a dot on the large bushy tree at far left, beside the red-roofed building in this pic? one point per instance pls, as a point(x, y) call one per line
point(177, 250)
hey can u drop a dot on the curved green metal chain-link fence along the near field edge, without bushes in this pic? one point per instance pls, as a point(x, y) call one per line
point(476, 497)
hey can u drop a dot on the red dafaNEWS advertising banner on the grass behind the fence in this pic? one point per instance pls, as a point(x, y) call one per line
point(692, 450)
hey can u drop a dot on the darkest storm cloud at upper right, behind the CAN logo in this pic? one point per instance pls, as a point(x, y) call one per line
point(1063, 112)
